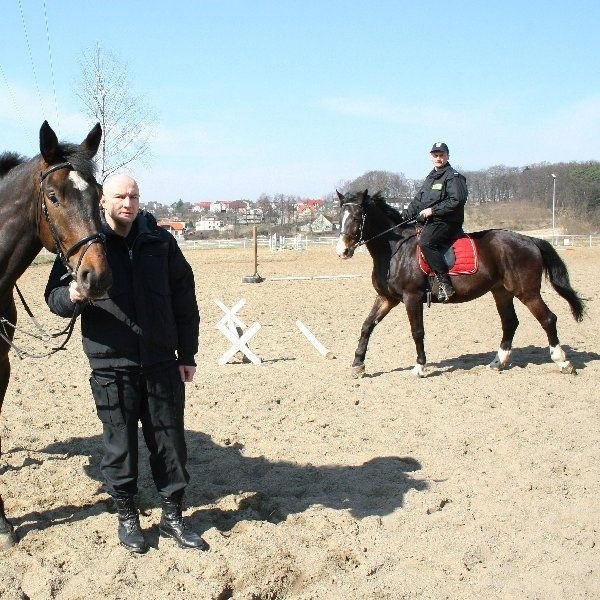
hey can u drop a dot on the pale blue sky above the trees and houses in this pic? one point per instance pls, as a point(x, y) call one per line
point(293, 97)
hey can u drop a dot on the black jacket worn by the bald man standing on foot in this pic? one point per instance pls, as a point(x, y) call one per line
point(150, 314)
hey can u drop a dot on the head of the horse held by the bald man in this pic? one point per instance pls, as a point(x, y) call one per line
point(69, 209)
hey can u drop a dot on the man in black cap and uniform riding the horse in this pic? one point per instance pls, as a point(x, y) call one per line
point(441, 202)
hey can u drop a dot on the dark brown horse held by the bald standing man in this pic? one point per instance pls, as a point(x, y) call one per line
point(52, 201)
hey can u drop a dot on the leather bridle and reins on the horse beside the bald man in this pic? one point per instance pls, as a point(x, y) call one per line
point(64, 256)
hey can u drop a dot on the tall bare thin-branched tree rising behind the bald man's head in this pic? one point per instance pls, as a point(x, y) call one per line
point(126, 118)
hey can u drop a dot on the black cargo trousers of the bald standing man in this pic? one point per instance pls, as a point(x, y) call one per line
point(156, 398)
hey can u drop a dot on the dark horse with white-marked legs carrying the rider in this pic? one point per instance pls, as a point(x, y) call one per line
point(510, 266)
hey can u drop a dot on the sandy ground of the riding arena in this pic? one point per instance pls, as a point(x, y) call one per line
point(309, 484)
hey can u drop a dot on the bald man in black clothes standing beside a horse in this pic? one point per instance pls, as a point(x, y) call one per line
point(140, 340)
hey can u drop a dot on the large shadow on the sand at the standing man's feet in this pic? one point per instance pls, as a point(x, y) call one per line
point(255, 488)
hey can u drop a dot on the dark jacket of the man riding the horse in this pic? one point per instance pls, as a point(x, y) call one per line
point(446, 192)
